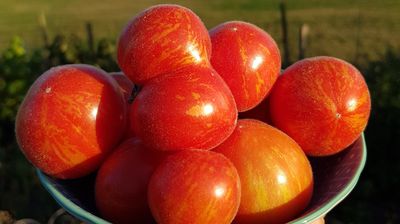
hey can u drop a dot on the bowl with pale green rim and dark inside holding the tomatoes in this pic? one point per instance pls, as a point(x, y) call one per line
point(334, 178)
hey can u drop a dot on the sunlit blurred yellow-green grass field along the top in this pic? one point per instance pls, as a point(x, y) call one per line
point(336, 27)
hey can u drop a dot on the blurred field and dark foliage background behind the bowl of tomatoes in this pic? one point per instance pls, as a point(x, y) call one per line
point(35, 35)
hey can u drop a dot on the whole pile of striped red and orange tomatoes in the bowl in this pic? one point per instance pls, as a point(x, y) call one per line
point(181, 134)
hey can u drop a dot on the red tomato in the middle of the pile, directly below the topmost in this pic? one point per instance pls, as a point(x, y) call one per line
point(188, 109)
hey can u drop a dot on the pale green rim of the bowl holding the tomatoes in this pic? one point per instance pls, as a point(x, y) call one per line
point(86, 216)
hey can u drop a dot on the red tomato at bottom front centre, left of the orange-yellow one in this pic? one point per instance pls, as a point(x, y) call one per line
point(194, 186)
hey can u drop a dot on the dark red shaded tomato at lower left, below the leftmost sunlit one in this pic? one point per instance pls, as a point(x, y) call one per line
point(121, 183)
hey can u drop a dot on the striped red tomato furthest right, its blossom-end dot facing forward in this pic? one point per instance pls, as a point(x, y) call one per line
point(323, 103)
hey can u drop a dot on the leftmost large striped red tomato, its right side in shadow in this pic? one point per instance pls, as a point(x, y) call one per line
point(70, 119)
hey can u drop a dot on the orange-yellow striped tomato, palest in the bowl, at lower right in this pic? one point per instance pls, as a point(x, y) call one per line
point(276, 176)
